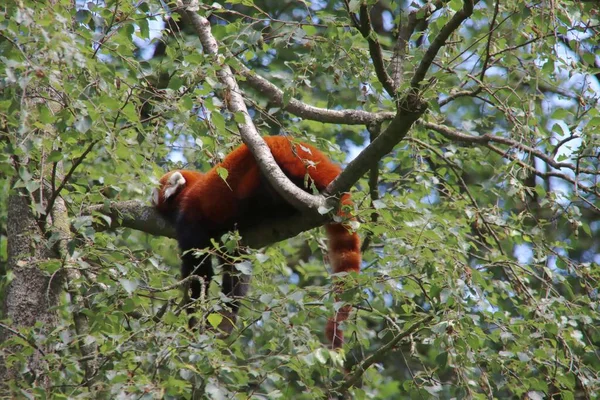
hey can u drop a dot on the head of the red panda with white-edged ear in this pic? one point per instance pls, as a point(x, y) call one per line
point(166, 198)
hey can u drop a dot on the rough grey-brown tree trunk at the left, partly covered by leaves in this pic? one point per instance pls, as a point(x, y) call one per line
point(30, 296)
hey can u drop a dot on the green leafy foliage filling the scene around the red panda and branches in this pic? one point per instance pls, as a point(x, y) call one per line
point(482, 223)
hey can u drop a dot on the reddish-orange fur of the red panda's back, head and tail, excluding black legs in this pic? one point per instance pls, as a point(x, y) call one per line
point(208, 199)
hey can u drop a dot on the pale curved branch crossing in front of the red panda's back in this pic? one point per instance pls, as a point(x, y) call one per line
point(297, 197)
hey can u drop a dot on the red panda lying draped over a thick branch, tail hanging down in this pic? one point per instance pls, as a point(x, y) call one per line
point(205, 206)
